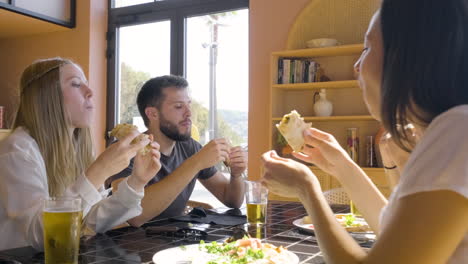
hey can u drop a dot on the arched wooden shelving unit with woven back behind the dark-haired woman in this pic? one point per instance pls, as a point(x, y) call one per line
point(337, 64)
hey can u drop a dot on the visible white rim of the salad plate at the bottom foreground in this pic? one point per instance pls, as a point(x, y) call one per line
point(186, 254)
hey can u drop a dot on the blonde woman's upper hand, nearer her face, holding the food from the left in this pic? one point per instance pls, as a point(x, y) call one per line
point(114, 159)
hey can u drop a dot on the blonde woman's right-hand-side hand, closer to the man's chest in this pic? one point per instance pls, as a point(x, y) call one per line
point(145, 167)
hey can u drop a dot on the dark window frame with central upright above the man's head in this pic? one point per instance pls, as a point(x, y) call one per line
point(174, 10)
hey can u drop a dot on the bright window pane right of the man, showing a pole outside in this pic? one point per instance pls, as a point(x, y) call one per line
point(217, 59)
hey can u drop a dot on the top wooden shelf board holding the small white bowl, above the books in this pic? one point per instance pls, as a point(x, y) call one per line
point(342, 50)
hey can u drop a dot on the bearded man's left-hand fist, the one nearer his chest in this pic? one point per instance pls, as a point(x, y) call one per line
point(215, 151)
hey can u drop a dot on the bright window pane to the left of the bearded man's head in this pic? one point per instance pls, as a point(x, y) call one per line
point(143, 53)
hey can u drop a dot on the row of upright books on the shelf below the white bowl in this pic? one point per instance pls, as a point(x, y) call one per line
point(298, 70)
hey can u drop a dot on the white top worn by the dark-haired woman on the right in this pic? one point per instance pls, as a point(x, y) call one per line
point(438, 162)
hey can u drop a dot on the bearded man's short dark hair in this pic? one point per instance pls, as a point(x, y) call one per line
point(151, 93)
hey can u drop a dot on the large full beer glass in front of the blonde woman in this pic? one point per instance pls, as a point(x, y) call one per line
point(62, 218)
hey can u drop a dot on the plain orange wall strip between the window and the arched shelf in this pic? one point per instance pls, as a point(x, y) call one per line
point(270, 21)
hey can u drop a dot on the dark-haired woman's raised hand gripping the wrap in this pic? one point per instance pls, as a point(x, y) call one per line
point(324, 151)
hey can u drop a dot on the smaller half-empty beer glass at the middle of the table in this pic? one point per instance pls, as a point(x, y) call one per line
point(256, 197)
